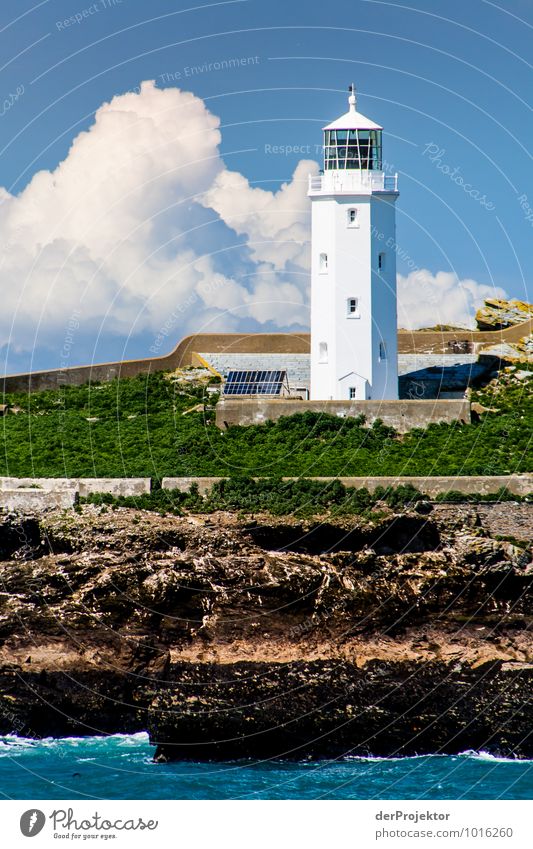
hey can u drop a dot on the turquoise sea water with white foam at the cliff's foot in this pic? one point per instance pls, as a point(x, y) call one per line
point(121, 767)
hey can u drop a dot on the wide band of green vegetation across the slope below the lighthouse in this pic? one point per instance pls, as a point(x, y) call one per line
point(148, 426)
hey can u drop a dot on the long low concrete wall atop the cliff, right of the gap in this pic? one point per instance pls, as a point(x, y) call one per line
point(482, 484)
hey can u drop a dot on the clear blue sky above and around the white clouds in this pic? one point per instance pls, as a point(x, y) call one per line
point(450, 82)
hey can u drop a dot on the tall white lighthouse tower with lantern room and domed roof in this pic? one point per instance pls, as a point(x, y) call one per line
point(353, 276)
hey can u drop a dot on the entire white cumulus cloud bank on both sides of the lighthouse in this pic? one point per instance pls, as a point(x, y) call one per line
point(143, 229)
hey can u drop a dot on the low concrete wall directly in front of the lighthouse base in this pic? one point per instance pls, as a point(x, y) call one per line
point(401, 415)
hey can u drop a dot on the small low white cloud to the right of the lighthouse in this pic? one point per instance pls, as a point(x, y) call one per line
point(426, 299)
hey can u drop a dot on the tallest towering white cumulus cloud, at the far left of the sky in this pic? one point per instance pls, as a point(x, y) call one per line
point(86, 236)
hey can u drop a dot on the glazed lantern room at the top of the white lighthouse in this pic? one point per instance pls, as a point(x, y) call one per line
point(352, 149)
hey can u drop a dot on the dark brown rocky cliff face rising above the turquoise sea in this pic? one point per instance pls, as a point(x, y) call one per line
point(228, 637)
